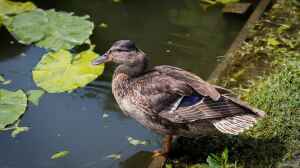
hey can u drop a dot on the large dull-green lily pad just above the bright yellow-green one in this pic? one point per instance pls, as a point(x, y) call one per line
point(51, 29)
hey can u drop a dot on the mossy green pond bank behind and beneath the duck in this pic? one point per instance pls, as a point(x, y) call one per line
point(264, 71)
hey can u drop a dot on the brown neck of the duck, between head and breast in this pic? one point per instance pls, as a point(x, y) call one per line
point(135, 68)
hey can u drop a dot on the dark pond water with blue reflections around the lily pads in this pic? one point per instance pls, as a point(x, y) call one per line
point(174, 32)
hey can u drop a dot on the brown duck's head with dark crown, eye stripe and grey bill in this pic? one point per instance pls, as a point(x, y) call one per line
point(121, 52)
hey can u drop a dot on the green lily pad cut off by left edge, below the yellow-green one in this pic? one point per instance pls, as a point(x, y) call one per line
point(12, 106)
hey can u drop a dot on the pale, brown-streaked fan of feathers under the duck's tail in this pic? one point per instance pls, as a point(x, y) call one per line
point(236, 124)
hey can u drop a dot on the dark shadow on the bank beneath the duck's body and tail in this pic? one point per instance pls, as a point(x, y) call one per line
point(248, 151)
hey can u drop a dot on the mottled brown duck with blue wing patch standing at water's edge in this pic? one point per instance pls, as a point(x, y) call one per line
point(172, 101)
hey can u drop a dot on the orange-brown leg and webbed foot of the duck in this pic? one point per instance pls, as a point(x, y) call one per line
point(166, 147)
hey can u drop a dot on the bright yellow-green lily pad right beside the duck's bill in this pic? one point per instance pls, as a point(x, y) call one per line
point(61, 71)
